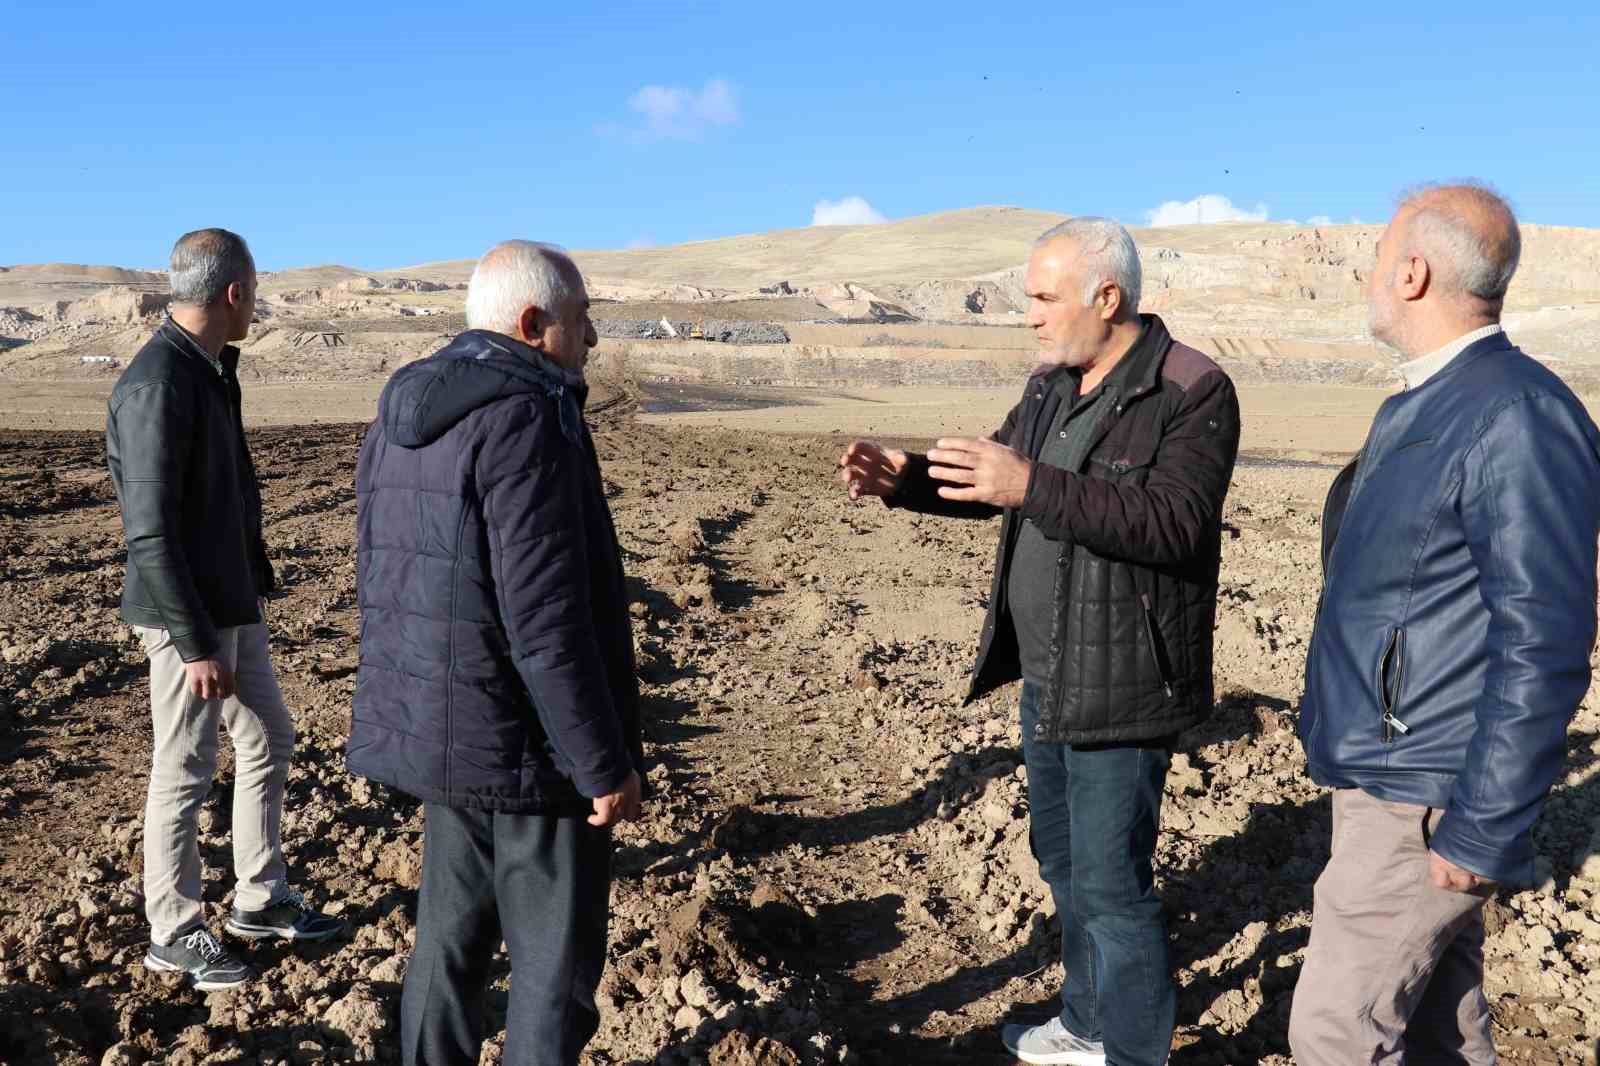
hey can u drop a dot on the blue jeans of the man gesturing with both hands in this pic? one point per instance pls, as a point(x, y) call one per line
point(1095, 816)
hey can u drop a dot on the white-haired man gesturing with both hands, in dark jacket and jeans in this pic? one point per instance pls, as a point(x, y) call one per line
point(1111, 476)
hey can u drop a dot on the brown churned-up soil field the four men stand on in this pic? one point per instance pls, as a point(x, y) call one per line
point(838, 867)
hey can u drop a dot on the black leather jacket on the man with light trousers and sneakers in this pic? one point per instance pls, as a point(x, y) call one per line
point(191, 510)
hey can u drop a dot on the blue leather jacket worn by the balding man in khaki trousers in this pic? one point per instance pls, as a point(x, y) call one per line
point(1458, 612)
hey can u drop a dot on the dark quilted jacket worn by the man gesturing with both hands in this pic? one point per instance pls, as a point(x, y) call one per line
point(1137, 593)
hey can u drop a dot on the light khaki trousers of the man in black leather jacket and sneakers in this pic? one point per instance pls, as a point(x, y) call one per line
point(182, 769)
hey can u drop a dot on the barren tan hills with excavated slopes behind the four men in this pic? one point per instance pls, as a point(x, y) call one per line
point(926, 300)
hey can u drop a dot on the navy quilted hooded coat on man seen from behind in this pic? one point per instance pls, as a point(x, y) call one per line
point(497, 652)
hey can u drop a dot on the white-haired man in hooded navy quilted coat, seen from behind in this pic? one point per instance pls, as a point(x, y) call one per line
point(497, 678)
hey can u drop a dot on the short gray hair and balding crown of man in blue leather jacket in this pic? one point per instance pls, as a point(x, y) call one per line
point(1470, 238)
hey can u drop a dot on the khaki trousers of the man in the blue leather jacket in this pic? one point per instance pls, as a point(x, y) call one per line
point(1394, 972)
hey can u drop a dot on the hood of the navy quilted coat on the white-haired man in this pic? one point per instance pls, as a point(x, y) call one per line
point(425, 399)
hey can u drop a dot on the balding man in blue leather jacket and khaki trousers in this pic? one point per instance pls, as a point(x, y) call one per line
point(1452, 647)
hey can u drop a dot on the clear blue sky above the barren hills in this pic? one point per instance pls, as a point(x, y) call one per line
point(402, 134)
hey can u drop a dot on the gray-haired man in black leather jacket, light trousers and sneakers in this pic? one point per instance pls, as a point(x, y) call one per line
point(198, 577)
